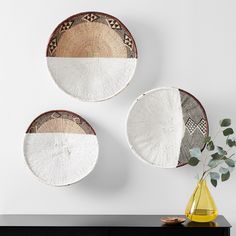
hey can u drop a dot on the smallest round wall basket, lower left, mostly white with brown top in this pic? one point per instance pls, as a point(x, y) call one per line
point(60, 147)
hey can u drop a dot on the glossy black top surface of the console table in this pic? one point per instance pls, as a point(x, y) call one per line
point(100, 221)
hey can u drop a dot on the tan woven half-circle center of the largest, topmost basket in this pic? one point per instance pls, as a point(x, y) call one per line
point(91, 40)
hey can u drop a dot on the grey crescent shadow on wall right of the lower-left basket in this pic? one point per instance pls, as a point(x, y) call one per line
point(111, 172)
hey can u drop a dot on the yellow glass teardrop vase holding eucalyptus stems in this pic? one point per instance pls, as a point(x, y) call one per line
point(201, 206)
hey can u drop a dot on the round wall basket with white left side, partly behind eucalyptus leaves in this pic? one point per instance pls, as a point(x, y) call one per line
point(164, 124)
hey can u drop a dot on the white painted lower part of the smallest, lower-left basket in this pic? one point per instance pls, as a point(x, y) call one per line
point(60, 158)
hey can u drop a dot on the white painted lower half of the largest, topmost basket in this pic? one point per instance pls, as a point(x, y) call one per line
point(92, 79)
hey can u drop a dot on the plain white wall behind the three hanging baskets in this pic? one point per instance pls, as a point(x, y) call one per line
point(183, 43)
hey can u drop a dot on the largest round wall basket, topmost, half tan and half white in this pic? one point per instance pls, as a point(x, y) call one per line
point(92, 56)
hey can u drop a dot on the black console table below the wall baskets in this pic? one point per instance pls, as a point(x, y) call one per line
point(106, 225)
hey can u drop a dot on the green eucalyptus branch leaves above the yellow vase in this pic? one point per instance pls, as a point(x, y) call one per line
point(217, 158)
